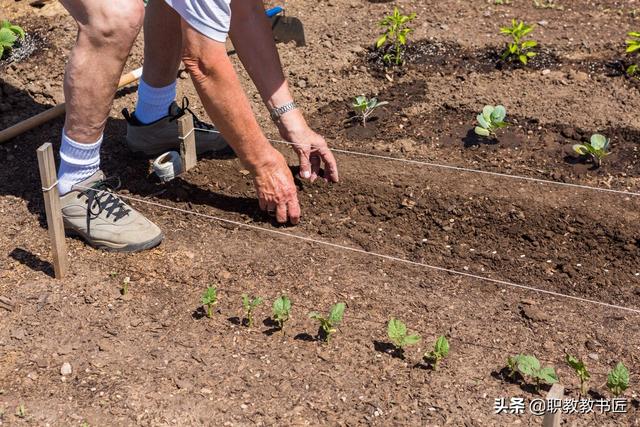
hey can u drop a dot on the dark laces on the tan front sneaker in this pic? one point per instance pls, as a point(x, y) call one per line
point(100, 198)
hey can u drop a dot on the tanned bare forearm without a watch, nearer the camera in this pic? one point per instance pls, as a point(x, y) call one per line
point(224, 99)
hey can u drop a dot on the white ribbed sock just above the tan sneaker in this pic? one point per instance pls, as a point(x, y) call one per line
point(77, 162)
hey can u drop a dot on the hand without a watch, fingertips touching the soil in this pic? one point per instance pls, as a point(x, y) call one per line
point(277, 193)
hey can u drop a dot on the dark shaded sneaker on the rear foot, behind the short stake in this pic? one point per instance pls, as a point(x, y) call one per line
point(162, 135)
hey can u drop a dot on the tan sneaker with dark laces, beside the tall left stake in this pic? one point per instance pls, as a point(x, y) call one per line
point(91, 211)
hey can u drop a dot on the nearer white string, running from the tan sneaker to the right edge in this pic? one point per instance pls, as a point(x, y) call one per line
point(375, 254)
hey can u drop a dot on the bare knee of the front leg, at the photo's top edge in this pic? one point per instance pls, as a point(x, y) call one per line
point(115, 23)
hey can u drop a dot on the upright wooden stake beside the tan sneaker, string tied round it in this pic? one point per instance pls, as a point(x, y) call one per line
point(49, 181)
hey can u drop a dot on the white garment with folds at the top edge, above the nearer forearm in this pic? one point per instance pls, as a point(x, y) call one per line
point(211, 18)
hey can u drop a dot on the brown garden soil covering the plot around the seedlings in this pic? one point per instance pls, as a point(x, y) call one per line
point(152, 357)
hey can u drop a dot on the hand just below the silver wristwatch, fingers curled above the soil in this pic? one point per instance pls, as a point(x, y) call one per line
point(311, 148)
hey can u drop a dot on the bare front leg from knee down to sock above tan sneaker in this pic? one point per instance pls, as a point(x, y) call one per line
point(106, 32)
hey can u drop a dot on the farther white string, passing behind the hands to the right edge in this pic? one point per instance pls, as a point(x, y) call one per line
point(460, 168)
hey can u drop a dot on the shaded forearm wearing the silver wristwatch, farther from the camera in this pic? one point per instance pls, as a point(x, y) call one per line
point(253, 41)
